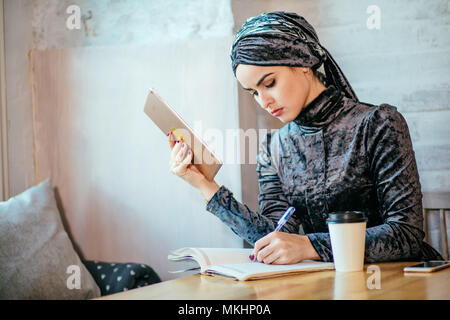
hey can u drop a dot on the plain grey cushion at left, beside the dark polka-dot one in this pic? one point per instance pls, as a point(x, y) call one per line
point(36, 253)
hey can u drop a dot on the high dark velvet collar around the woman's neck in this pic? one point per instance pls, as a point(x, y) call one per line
point(322, 110)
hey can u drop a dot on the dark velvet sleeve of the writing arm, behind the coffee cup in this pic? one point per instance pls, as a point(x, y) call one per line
point(394, 172)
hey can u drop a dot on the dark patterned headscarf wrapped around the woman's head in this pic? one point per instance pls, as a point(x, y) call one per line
point(287, 39)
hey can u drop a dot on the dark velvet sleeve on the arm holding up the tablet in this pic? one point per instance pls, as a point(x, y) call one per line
point(246, 223)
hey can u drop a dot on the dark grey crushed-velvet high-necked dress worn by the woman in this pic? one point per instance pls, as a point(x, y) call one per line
point(338, 154)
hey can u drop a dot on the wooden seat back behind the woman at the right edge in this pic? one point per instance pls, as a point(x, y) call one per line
point(435, 205)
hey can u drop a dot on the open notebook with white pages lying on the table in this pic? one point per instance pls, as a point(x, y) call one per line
point(235, 263)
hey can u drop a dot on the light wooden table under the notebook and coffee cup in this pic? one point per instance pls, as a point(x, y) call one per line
point(395, 284)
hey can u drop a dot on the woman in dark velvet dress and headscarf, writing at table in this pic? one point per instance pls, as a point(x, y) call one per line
point(334, 153)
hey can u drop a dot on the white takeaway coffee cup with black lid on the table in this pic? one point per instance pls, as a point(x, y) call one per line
point(348, 235)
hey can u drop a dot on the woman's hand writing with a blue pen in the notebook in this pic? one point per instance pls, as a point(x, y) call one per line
point(283, 248)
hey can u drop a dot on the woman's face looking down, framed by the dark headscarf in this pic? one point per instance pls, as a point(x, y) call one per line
point(282, 91)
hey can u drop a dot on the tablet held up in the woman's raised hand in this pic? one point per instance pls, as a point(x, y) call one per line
point(168, 120)
